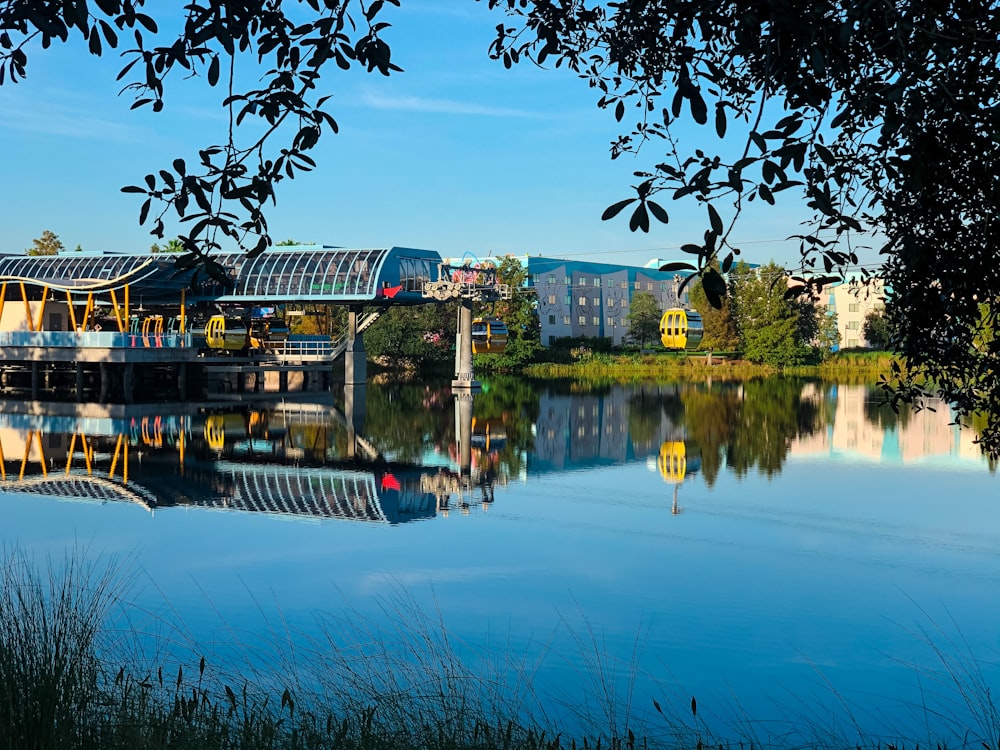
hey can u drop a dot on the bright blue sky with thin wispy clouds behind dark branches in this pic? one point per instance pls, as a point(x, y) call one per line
point(456, 154)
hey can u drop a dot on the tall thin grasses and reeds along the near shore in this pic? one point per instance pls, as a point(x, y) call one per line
point(82, 669)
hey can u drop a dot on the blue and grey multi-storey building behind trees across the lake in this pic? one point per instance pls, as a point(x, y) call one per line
point(580, 298)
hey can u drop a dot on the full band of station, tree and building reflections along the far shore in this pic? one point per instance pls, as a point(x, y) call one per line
point(397, 453)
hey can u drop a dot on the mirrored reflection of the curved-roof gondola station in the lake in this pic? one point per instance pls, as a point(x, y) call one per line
point(291, 459)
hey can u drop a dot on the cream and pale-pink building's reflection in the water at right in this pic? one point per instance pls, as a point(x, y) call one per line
point(863, 430)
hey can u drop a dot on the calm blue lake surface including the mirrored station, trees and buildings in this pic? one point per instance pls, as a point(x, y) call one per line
point(782, 550)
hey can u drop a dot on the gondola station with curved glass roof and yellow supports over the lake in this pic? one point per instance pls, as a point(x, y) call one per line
point(116, 328)
